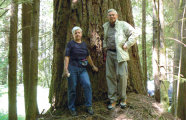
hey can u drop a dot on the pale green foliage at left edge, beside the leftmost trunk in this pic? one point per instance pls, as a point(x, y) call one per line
point(4, 25)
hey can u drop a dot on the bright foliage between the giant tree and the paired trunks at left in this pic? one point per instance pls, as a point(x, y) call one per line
point(45, 43)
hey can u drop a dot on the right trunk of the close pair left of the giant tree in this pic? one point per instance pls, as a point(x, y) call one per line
point(32, 110)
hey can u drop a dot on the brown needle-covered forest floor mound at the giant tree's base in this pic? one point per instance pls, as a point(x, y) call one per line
point(139, 107)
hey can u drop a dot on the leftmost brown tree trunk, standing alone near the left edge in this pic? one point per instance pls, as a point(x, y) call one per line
point(12, 59)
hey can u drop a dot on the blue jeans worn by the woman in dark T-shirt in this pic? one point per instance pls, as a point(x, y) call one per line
point(81, 75)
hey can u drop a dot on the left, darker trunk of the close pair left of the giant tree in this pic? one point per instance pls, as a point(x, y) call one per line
point(26, 36)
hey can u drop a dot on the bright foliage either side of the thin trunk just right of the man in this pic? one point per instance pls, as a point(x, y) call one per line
point(137, 13)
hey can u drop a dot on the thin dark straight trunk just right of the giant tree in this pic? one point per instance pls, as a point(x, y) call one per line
point(144, 42)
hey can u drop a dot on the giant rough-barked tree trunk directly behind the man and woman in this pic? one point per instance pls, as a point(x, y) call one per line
point(82, 13)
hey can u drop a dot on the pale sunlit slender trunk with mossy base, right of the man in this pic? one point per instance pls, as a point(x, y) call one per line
point(164, 83)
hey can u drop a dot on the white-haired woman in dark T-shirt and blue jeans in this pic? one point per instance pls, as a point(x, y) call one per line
point(76, 59)
